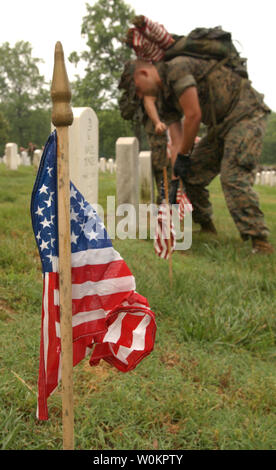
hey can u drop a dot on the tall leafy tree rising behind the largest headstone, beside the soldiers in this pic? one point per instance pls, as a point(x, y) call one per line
point(104, 27)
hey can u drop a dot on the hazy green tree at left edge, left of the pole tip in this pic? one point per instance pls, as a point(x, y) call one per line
point(22, 90)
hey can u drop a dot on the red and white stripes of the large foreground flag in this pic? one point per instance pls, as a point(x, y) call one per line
point(107, 314)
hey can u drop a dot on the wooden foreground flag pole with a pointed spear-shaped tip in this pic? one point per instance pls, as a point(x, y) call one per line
point(62, 117)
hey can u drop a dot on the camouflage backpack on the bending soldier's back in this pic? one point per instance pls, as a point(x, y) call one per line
point(209, 43)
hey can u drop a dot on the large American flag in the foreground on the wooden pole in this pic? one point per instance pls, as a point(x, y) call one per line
point(110, 320)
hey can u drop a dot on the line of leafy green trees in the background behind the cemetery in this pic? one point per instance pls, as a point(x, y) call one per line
point(25, 104)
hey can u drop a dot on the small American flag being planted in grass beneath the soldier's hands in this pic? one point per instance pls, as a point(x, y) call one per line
point(164, 230)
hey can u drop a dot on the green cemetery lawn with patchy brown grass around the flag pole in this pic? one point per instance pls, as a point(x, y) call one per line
point(210, 382)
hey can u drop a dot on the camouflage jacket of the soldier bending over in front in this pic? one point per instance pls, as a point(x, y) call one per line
point(224, 96)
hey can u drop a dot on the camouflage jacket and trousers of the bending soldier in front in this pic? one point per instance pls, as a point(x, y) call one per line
point(235, 116)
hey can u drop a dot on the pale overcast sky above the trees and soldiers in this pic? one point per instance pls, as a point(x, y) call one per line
point(251, 22)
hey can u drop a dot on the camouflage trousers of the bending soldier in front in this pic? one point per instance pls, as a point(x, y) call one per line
point(235, 157)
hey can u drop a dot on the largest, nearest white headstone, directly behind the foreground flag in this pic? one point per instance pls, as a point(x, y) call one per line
point(83, 152)
